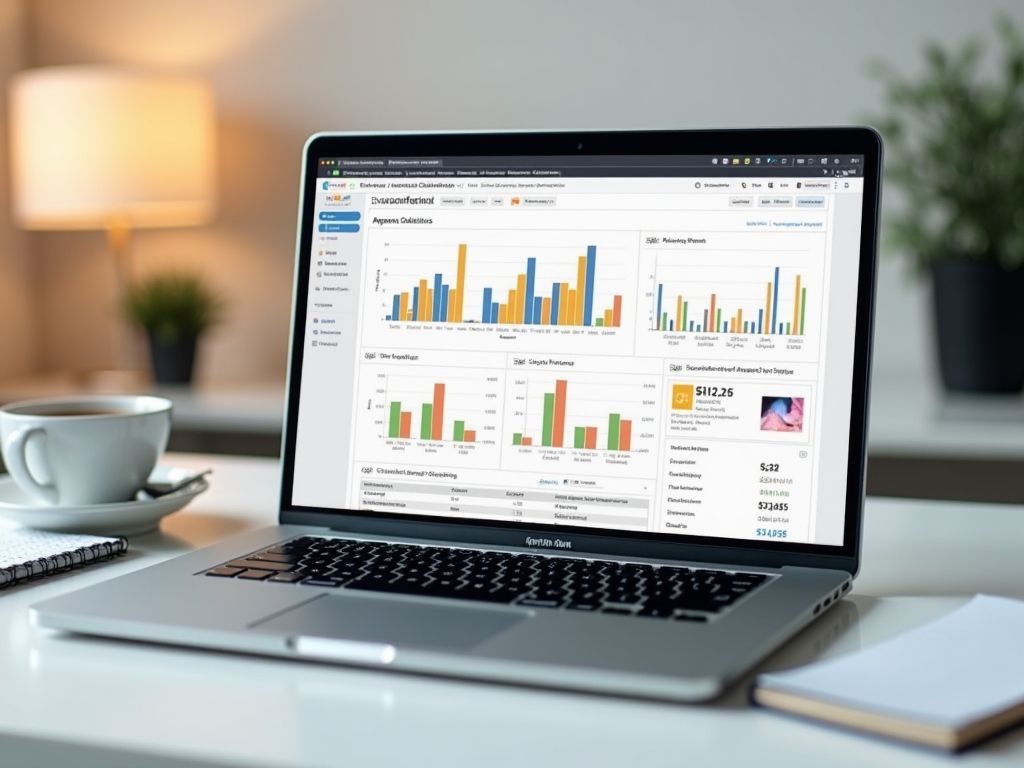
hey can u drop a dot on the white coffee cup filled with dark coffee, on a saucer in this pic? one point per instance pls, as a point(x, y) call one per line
point(90, 450)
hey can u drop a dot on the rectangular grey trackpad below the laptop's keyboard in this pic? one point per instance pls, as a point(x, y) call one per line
point(393, 622)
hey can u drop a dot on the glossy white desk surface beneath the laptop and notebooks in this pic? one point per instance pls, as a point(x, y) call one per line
point(921, 561)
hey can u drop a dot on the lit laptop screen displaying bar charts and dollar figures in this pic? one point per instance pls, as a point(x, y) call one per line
point(660, 346)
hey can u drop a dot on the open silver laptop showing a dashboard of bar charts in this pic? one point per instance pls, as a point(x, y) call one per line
point(584, 410)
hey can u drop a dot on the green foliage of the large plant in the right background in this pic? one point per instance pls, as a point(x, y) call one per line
point(955, 145)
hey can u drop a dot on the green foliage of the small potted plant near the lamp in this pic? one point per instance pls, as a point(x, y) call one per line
point(174, 306)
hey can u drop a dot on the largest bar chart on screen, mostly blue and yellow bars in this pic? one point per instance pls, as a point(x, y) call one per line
point(508, 289)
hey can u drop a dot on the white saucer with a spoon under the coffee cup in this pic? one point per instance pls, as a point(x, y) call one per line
point(123, 519)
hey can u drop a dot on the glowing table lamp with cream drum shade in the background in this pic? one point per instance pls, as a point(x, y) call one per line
point(104, 148)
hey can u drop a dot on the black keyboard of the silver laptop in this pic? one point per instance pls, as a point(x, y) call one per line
point(533, 581)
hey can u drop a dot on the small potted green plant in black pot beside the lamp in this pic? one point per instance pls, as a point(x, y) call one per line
point(174, 310)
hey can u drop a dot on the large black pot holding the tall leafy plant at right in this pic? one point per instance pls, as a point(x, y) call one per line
point(978, 316)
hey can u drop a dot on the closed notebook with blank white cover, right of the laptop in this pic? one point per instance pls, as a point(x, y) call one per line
point(948, 685)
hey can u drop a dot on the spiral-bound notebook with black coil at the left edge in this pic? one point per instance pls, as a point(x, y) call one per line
point(27, 554)
